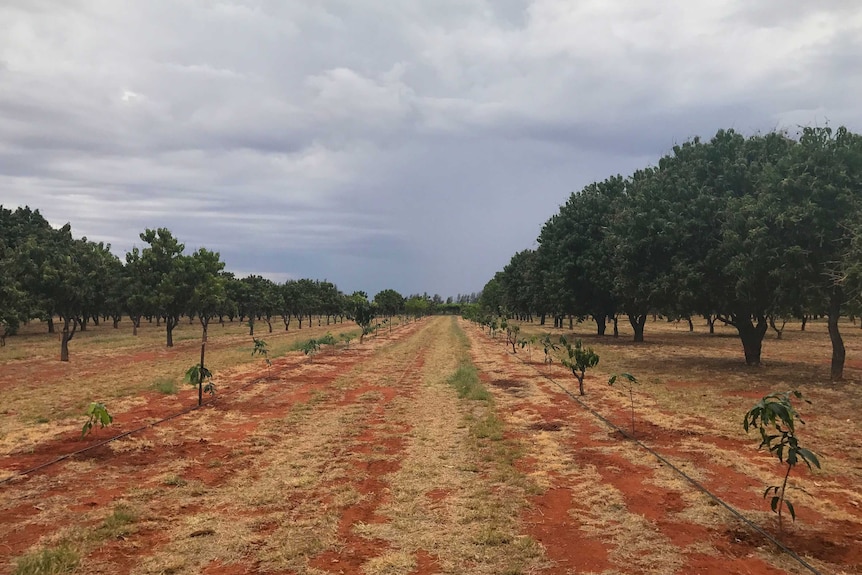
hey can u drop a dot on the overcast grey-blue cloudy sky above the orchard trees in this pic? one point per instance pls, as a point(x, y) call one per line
point(405, 144)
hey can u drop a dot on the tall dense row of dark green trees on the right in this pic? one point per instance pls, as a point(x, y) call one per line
point(738, 230)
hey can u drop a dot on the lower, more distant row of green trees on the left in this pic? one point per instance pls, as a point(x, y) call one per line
point(46, 273)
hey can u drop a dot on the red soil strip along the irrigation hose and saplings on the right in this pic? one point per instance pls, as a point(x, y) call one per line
point(609, 506)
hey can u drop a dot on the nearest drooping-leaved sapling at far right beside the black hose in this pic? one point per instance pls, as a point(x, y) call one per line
point(775, 417)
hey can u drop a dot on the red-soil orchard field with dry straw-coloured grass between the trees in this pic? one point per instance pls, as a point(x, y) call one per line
point(430, 448)
